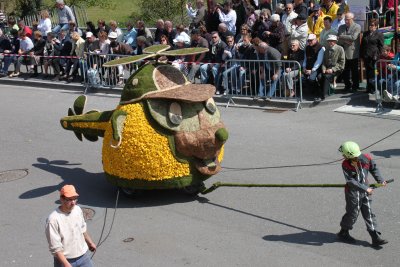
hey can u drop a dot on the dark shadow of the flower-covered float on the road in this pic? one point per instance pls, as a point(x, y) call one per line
point(95, 191)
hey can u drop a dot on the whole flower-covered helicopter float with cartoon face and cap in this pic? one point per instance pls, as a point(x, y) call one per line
point(165, 133)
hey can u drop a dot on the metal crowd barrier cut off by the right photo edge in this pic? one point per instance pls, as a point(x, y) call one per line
point(387, 83)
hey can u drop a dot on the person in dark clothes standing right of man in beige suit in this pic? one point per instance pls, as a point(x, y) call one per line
point(371, 48)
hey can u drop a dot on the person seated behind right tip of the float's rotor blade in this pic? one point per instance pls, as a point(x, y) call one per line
point(196, 60)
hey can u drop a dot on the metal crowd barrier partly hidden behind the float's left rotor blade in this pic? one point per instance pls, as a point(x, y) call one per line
point(97, 76)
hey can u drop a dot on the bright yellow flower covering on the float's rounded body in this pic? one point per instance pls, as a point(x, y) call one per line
point(143, 154)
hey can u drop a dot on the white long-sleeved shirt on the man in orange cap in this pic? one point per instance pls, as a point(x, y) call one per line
point(64, 232)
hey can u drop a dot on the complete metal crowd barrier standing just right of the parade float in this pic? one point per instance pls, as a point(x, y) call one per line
point(267, 79)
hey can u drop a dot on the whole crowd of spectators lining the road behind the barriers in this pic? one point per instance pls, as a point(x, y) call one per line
point(321, 36)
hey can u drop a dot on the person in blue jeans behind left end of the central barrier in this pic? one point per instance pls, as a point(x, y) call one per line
point(230, 68)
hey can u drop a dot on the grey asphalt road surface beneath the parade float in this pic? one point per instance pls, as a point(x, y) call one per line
point(228, 227)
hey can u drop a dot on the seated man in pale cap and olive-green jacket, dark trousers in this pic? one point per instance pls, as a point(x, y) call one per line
point(332, 65)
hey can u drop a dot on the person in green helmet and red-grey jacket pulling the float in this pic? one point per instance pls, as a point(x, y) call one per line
point(357, 192)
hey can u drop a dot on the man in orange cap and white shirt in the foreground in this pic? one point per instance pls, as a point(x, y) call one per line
point(66, 232)
